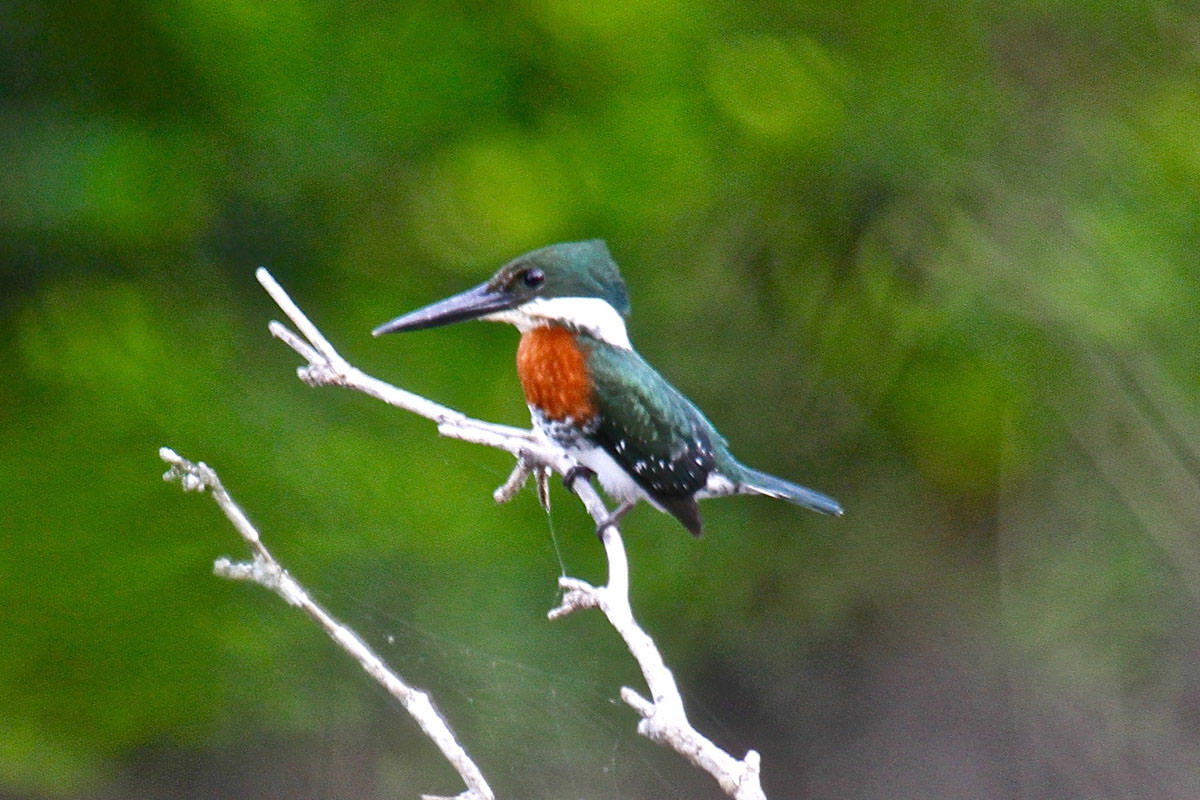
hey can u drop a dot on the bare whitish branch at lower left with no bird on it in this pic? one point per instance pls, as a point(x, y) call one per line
point(269, 574)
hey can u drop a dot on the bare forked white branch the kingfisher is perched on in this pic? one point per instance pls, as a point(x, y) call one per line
point(664, 719)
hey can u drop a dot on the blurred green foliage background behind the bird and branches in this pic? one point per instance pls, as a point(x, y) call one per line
point(935, 258)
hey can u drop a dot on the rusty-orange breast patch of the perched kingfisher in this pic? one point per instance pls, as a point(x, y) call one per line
point(555, 376)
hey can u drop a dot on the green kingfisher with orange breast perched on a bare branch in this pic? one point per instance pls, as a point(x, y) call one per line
point(591, 394)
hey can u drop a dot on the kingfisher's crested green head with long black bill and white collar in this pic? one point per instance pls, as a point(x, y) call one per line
point(574, 285)
